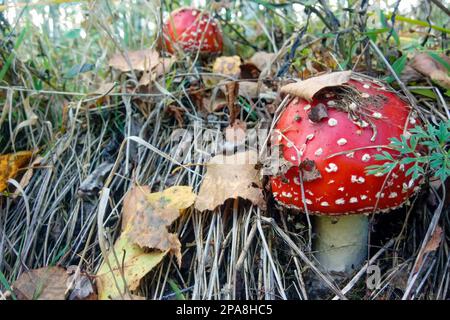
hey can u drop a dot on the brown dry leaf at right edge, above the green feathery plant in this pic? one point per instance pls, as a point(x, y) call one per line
point(422, 64)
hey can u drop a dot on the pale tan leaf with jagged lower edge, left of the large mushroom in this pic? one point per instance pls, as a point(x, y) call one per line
point(230, 177)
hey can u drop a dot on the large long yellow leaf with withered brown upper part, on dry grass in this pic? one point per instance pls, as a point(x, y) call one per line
point(145, 219)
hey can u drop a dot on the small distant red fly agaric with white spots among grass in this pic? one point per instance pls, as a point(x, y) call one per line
point(192, 30)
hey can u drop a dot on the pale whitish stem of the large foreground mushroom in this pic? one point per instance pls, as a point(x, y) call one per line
point(341, 242)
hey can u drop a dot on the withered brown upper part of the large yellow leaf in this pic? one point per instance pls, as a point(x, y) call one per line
point(148, 215)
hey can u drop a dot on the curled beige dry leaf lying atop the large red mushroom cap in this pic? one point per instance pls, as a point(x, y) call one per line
point(308, 88)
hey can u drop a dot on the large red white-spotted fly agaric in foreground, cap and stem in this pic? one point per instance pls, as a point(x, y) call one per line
point(330, 141)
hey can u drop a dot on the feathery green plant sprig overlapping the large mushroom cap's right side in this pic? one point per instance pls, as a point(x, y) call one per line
point(434, 138)
